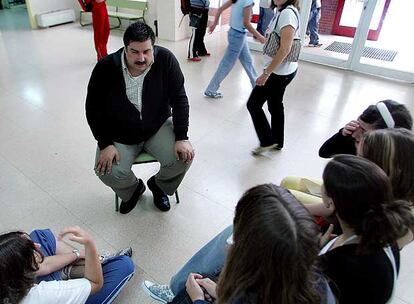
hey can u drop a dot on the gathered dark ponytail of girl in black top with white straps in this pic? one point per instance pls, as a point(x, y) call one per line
point(383, 225)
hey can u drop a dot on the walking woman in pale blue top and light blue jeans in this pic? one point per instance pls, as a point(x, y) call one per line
point(241, 11)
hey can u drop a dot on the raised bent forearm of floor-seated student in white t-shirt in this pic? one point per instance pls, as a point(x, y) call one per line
point(93, 268)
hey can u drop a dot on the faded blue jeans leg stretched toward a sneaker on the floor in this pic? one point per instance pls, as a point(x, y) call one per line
point(208, 260)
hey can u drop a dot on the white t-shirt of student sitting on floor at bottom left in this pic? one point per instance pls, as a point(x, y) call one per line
point(60, 292)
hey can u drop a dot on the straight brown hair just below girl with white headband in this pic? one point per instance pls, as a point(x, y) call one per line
point(393, 150)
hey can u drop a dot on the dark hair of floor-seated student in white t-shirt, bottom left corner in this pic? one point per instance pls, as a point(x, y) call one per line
point(17, 266)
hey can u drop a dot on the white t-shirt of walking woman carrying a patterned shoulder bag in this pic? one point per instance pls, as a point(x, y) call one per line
point(286, 17)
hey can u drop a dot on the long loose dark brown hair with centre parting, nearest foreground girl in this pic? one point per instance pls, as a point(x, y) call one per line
point(274, 253)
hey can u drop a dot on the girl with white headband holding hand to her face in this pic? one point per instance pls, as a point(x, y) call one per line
point(384, 114)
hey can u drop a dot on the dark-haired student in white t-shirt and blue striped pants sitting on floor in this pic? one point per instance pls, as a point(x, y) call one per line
point(25, 261)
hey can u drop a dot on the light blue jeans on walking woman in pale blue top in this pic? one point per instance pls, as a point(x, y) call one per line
point(237, 49)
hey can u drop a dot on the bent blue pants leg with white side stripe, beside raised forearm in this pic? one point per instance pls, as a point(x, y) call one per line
point(116, 272)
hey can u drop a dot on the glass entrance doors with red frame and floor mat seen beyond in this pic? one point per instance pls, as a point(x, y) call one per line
point(365, 36)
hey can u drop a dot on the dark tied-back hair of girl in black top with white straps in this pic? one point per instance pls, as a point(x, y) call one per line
point(362, 195)
